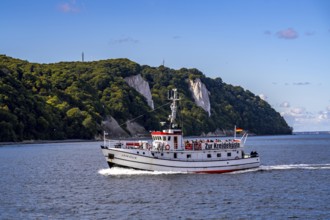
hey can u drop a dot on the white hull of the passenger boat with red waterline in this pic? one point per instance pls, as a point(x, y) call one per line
point(146, 160)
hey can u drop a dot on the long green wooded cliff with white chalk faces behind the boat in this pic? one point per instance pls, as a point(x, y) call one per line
point(69, 100)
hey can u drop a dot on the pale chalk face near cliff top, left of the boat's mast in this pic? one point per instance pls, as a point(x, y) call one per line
point(142, 86)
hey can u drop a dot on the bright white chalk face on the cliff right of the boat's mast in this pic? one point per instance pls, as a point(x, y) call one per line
point(200, 94)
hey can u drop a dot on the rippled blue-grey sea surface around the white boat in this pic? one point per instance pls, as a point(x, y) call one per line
point(72, 181)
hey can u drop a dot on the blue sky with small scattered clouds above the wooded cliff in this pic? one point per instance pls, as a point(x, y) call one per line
point(279, 49)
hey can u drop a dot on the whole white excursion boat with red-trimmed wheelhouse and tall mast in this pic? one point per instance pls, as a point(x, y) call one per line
point(169, 151)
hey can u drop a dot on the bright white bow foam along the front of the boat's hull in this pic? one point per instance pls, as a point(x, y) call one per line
point(118, 171)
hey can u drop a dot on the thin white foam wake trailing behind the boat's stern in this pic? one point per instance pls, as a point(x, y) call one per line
point(287, 167)
